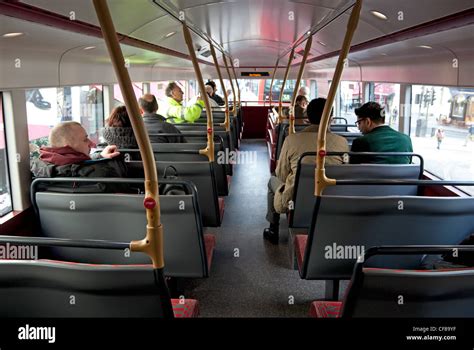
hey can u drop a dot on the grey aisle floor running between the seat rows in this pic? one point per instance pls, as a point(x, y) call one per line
point(250, 277)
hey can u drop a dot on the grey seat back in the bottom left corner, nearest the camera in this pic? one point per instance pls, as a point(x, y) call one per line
point(43, 289)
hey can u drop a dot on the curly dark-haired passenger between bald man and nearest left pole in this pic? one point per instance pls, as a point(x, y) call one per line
point(118, 129)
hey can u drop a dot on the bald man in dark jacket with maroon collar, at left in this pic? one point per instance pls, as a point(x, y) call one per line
point(69, 155)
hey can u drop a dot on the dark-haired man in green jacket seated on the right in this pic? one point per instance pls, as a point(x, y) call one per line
point(378, 137)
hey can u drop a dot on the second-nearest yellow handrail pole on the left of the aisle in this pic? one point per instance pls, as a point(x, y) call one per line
point(209, 150)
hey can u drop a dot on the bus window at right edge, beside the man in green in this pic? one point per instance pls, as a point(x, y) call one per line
point(441, 130)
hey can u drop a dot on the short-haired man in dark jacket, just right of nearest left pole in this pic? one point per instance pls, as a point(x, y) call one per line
point(156, 123)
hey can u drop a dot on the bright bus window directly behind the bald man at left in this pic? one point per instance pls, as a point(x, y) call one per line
point(46, 107)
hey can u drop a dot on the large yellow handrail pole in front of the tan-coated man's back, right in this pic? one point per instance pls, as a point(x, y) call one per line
point(321, 181)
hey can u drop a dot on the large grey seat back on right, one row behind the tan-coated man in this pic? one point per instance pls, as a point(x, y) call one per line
point(347, 225)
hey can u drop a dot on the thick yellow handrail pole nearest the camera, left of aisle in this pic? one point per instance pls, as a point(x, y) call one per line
point(152, 244)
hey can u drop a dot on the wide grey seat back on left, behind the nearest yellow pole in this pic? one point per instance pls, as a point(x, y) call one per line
point(121, 217)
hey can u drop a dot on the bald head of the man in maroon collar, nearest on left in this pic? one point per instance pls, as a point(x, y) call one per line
point(71, 134)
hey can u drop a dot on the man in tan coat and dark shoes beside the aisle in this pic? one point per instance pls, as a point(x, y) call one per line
point(281, 186)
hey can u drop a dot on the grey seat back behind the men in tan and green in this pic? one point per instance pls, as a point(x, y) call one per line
point(304, 199)
